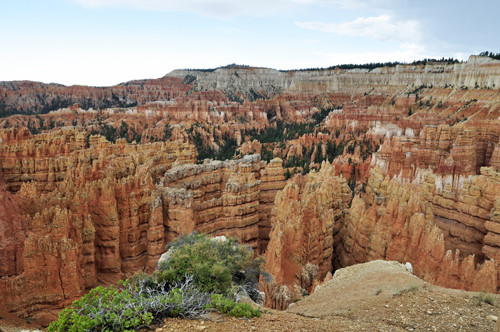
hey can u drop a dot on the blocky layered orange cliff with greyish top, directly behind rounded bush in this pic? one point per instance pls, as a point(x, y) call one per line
point(231, 198)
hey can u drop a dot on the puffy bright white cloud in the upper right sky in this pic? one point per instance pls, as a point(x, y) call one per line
point(381, 28)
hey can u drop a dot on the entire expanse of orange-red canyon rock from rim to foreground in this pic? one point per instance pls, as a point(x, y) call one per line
point(91, 211)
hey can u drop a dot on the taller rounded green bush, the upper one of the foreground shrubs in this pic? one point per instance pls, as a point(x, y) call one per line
point(214, 264)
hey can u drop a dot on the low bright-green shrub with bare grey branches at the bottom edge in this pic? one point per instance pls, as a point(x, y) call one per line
point(130, 305)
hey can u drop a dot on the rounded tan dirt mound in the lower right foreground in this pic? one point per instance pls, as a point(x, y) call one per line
point(382, 296)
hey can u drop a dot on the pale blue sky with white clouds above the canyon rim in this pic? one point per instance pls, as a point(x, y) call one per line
point(106, 42)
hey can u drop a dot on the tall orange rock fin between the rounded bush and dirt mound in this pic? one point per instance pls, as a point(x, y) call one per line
point(306, 215)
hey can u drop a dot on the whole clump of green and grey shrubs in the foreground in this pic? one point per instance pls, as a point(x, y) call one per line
point(198, 276)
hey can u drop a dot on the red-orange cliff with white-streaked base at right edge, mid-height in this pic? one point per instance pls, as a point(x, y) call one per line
point(454, 152)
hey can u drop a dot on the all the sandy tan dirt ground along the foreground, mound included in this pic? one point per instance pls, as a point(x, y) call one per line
point(376, 296)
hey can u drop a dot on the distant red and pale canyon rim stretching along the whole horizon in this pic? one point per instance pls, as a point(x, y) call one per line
point(185, 93)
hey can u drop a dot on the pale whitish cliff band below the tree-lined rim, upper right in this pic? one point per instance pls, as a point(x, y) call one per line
point(264, 82)
